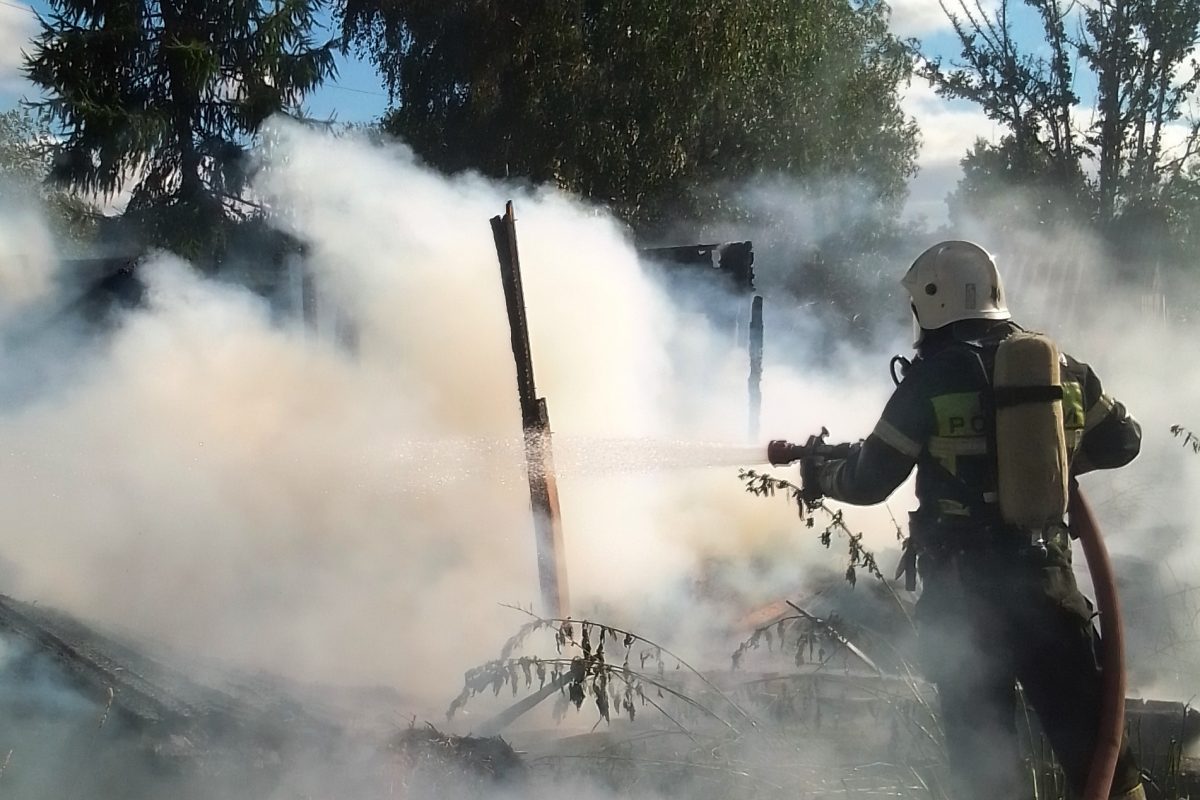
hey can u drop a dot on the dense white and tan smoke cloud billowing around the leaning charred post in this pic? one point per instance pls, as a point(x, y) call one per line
point(219, 480)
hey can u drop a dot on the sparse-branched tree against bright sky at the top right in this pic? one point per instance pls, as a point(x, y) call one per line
point(1119, 171)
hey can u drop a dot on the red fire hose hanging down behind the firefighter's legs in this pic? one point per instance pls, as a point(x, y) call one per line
point(1109, 737)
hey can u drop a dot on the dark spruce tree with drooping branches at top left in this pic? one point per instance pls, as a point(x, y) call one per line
point(163, 99)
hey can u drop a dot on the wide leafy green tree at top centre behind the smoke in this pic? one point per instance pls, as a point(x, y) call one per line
point(652, 107)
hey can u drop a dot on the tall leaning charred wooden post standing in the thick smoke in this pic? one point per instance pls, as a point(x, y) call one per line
point(536, 424)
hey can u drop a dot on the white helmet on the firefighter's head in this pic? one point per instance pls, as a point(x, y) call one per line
point(953, 281)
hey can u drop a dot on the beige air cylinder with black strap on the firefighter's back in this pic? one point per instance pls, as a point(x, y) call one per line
point(1031, 449)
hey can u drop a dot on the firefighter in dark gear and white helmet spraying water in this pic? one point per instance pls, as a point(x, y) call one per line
point(999, 603)
